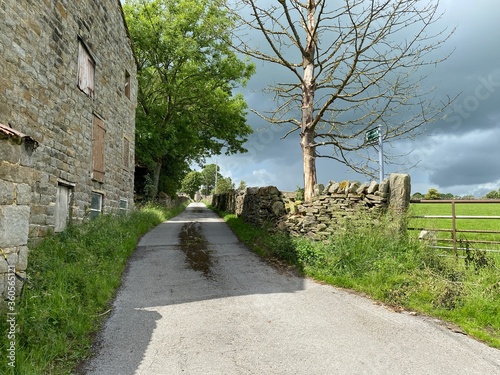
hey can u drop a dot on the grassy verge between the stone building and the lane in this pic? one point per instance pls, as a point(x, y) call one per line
point(72, 278)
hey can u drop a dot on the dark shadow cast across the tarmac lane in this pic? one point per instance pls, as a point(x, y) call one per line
point(193, 257)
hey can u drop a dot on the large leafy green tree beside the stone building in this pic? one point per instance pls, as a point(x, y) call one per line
point(187, 72)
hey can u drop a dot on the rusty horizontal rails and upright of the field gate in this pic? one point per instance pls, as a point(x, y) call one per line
point(453, 230)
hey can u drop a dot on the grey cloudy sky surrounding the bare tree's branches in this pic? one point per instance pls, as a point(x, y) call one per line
point(460, 154)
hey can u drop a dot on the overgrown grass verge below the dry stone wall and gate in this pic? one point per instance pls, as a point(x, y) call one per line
point(392, 268)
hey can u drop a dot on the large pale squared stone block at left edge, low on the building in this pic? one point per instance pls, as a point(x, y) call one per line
point(14, 225)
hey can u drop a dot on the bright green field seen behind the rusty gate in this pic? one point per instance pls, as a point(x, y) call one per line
point(464, 239)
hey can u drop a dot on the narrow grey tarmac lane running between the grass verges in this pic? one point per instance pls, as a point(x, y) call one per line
point(194, 300)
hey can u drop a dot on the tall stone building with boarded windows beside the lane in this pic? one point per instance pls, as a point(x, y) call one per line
point(67, 118)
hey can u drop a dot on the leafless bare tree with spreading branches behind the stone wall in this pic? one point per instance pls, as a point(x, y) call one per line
point(354, 66)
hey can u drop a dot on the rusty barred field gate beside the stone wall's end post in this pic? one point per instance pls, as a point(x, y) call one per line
point(458, 243)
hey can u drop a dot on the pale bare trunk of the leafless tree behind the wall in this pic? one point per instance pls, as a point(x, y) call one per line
point(308, 87)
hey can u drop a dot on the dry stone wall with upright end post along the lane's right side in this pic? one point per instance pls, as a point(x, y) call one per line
point(326, 213)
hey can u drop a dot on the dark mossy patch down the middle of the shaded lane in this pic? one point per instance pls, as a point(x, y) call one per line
point(194, 246)
